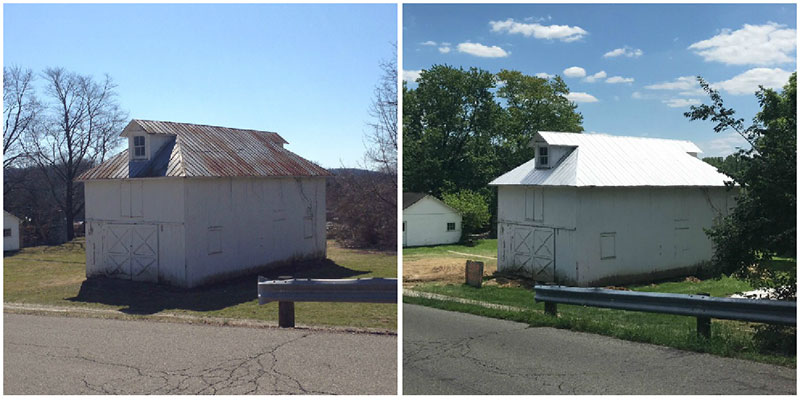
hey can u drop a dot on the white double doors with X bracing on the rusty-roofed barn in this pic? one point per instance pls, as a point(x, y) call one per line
point(131, 252)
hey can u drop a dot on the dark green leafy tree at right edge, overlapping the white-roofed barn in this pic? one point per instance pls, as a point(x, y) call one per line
point(763, 224)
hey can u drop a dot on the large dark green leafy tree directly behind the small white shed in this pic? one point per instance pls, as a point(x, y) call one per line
point(449, 124)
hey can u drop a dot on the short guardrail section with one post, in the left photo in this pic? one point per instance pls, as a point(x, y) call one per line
point(288, 291)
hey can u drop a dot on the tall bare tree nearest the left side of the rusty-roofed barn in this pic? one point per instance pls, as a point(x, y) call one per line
point(80, 125)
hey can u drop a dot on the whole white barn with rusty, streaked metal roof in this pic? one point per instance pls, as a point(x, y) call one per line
point(191, 204)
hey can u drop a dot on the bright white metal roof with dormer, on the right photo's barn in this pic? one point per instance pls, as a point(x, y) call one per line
point(606, 160)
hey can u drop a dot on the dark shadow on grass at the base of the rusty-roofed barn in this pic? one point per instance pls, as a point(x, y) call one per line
point(150, 298)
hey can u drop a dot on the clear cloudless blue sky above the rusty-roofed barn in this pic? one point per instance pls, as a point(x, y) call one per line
point(304, 71)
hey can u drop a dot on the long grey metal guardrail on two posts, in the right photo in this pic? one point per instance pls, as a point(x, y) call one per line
point(701, 306)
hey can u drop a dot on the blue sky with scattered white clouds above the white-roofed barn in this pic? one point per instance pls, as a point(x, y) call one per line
point(629, 67)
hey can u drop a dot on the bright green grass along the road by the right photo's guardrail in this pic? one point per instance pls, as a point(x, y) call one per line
point(729, 338)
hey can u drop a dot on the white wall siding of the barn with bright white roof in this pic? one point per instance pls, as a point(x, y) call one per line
point(653, 231)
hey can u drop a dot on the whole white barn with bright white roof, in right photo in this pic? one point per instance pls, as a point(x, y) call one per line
point(592, 210)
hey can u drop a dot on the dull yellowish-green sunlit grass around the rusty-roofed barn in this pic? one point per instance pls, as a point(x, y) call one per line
point(55, 275)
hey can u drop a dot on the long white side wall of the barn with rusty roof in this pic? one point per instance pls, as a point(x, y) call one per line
point(241, 224)
